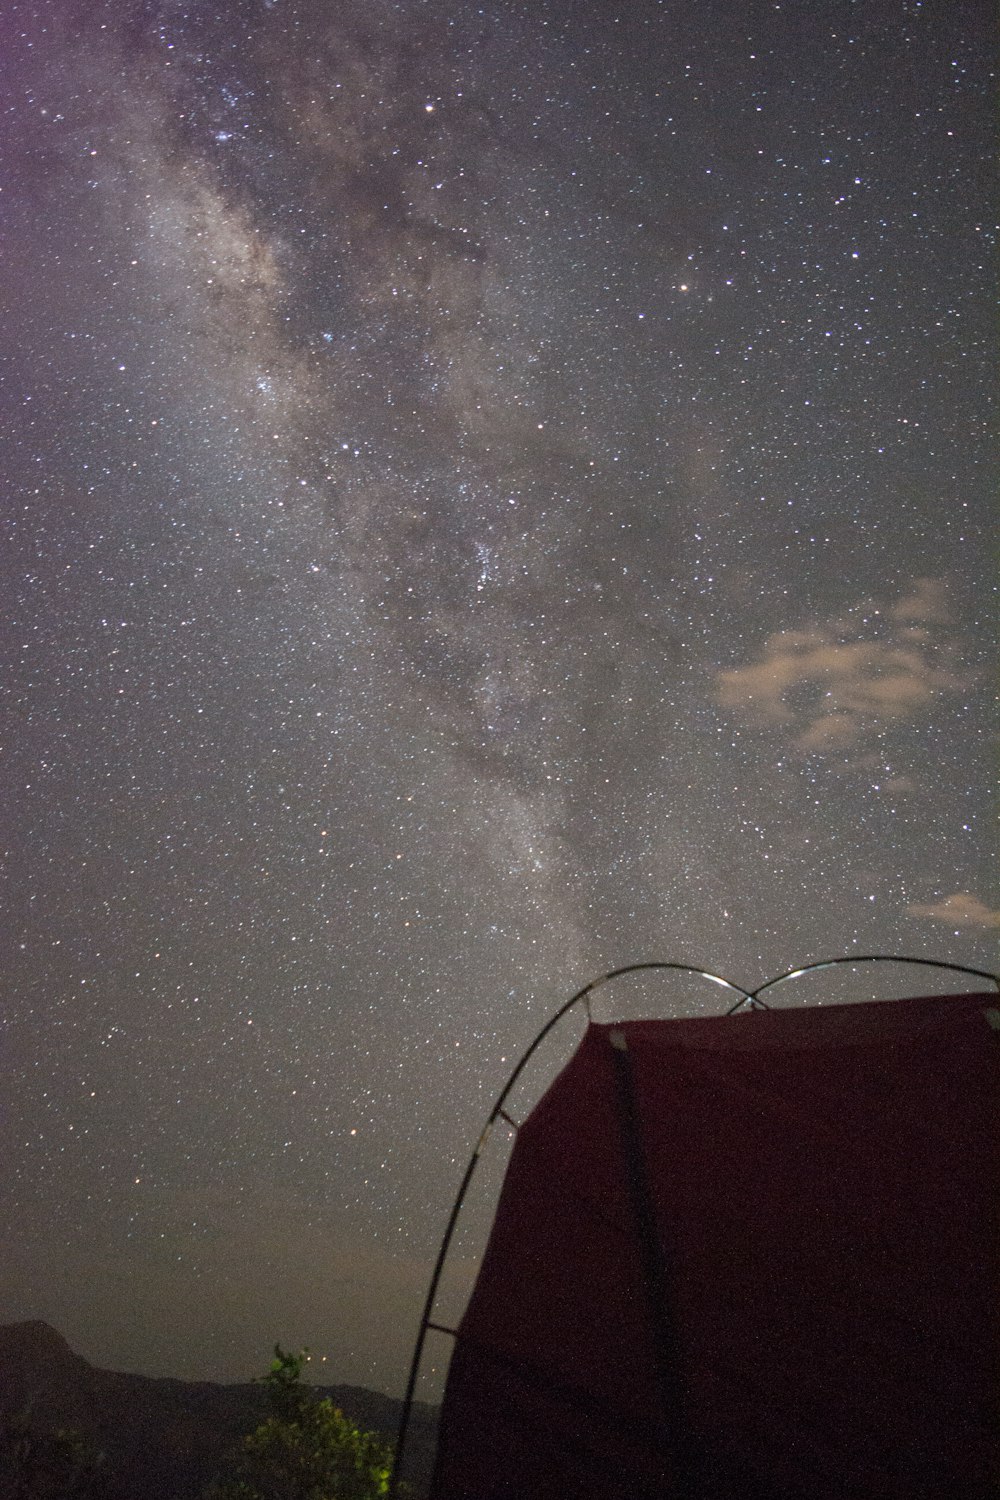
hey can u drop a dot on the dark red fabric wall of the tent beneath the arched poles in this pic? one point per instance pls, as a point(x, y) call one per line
point(749, 1256)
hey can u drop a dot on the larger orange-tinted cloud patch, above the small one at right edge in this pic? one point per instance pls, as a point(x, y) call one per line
point(839, 682)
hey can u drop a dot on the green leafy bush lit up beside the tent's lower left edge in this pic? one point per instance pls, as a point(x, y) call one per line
point(307, 1450)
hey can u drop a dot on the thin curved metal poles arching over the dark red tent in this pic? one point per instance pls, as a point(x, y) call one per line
point(746, 998)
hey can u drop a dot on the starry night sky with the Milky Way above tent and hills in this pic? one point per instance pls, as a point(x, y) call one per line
point(493, 493)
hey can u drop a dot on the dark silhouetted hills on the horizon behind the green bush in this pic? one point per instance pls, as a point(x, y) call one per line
point(163, 1439)
